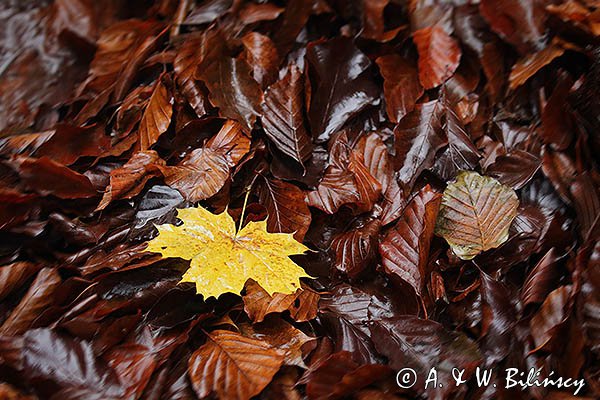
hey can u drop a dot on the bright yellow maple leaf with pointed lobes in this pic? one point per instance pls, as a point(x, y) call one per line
point(222, 260)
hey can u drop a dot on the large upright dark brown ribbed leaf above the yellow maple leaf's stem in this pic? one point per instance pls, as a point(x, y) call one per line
point(283, 116)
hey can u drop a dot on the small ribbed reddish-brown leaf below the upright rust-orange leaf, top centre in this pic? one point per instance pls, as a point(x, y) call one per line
point(376, 158)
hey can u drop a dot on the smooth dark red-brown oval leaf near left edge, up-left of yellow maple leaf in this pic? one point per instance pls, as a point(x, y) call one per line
point(48, 177)
